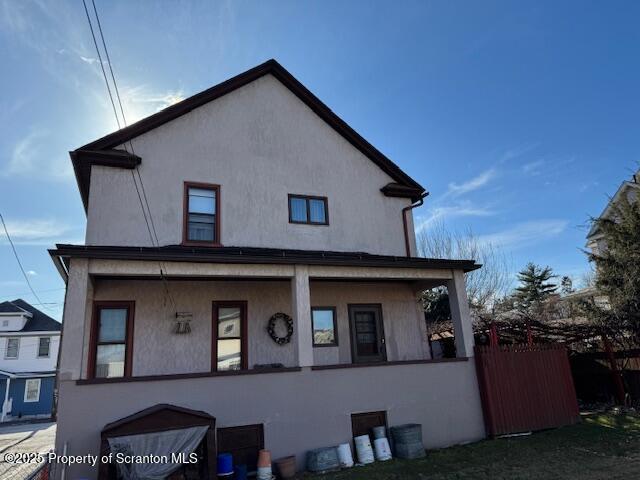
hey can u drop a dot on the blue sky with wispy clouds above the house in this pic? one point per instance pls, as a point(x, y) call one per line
point(519, 117)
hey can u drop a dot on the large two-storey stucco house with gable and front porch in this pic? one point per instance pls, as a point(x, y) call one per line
point(250, 263)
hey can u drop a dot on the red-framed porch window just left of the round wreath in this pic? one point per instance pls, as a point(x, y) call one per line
point(229, 348)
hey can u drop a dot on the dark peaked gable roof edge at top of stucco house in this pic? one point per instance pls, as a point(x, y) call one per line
point(101, 151)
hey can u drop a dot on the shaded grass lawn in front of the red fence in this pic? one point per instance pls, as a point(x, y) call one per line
point(603, 446)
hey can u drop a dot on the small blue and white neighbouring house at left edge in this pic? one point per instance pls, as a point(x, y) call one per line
point(29, 342)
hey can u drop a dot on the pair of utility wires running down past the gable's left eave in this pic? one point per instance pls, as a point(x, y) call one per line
point(151, 229)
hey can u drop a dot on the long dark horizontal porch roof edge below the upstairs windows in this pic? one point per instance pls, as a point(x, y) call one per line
point(252, 255)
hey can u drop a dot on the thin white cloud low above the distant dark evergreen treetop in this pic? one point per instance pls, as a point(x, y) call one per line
point(525, 233)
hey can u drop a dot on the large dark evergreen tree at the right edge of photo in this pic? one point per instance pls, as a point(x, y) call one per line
point(618, 274)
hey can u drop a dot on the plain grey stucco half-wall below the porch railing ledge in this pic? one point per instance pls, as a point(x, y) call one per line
point(300, 410)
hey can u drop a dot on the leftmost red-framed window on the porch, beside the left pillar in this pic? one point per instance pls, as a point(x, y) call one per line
point(112, 340)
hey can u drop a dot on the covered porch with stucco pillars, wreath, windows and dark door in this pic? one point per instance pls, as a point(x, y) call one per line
point(199, 318)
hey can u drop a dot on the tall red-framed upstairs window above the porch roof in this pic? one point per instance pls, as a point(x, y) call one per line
point(202, 219)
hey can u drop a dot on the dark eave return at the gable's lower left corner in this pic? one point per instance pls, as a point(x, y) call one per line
point(84, 159)
